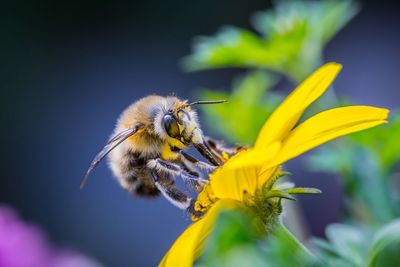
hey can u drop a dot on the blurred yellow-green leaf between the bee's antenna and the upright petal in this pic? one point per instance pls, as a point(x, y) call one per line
point(249, 103)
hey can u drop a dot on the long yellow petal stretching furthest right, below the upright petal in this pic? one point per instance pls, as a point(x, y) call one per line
point(329, 125)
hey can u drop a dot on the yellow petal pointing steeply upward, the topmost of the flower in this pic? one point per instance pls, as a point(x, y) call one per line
point(283, 119)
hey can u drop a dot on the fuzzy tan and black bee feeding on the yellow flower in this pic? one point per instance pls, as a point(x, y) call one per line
point(146, 150)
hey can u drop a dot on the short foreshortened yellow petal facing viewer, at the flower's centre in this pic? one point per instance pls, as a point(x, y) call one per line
point(240, 175)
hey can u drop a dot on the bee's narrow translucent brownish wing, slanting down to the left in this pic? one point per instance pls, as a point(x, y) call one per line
point(111, 144)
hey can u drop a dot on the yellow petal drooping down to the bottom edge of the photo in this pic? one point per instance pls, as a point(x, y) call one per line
point(189, 245)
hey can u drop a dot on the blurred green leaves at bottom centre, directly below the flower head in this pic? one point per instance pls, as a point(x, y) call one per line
point(232, 243)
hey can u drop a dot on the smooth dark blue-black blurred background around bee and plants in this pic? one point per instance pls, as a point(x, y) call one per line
point(68, 68)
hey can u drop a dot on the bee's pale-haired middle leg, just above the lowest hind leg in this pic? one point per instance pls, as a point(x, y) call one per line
point(176, 170)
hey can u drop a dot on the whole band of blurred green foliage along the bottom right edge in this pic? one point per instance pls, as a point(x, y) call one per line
point(236, 242)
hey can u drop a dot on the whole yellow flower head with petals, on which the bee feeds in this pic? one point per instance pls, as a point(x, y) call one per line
point(238, 181)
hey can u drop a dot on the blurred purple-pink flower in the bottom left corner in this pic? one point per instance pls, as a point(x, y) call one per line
point(25, 245)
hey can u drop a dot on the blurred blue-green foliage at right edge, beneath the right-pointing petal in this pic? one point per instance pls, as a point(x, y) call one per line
point(366, 163)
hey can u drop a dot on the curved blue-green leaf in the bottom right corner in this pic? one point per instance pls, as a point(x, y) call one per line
point(385, 249)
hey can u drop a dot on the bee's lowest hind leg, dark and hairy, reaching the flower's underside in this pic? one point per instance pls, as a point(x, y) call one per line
point(175, 196)
